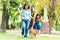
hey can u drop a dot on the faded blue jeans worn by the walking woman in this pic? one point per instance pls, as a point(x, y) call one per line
point(25, 26)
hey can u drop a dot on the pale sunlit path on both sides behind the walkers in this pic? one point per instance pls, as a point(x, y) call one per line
point(18, 32)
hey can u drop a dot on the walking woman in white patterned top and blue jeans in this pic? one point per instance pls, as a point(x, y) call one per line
point(25, 16)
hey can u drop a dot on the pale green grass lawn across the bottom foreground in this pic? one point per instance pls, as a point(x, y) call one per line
point(4, 36)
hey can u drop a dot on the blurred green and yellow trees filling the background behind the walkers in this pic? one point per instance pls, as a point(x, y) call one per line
point(10, 18)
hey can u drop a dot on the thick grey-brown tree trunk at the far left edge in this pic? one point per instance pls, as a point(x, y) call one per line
point(3, 25)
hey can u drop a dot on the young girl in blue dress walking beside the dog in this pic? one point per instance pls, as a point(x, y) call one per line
point(36, 23)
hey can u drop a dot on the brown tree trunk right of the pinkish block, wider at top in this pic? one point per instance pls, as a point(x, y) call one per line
point(51, 10)
